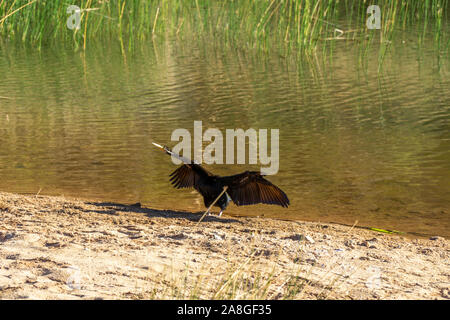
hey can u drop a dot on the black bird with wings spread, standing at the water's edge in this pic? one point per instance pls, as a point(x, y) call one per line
point(245, 188)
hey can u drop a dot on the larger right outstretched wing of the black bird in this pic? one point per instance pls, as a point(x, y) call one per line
point(250, 187)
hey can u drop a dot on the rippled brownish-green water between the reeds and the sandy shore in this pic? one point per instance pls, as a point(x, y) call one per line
point(355, 144)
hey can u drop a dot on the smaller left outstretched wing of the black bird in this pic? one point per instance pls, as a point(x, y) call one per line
point(188, 176)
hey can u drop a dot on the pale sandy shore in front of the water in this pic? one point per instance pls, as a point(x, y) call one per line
point(59, 248)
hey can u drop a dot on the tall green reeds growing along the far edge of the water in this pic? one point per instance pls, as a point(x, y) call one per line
point(293, 24)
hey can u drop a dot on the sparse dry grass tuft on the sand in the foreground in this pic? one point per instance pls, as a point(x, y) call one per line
point(248, 280)
